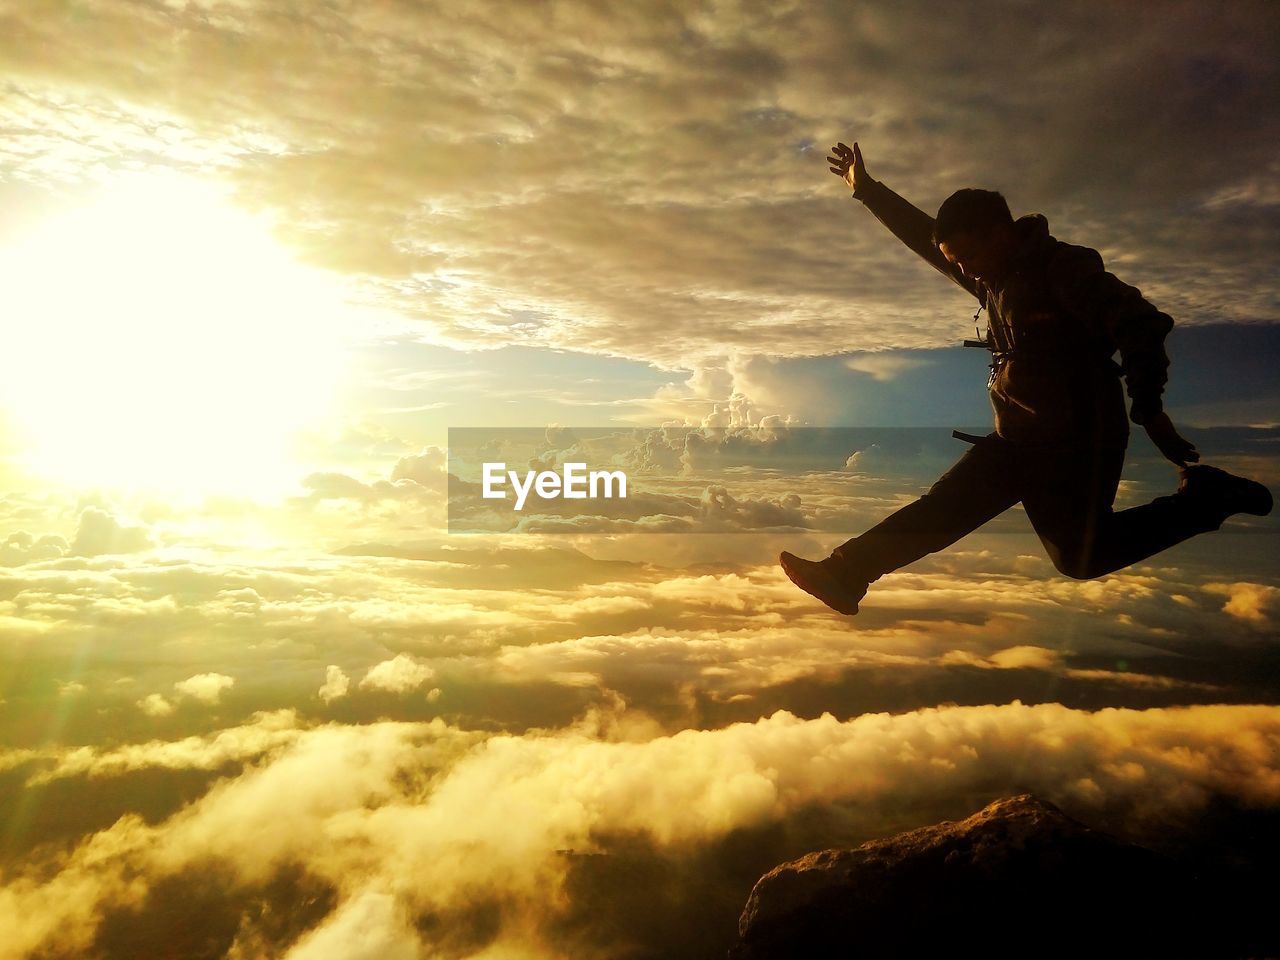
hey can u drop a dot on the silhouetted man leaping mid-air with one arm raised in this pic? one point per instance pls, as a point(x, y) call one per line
point(1057, 319)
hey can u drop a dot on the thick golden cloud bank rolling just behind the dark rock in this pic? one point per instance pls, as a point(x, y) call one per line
point(409, 821)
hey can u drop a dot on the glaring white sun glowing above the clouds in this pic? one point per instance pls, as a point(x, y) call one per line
point(161, 340)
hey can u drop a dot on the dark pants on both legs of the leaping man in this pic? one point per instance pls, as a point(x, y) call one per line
point(1067, 492)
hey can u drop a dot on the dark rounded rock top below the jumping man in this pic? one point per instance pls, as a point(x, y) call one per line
point(1017, 879)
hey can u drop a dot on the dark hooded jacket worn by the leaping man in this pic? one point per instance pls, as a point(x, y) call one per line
point(1057, 319)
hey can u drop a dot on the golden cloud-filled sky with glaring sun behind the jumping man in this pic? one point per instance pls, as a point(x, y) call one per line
point(267, 268)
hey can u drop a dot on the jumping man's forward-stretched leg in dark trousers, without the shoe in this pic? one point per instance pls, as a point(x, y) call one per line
point(980, 487)
